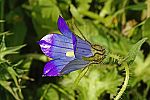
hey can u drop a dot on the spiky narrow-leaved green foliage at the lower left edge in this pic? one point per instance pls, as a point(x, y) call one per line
point(8, 71)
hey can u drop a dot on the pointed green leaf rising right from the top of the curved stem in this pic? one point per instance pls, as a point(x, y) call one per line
point(134, 51)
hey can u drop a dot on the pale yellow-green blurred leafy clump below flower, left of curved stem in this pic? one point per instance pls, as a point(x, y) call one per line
point(100, 82)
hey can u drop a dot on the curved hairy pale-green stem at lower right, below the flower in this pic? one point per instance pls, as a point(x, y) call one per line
point(124, 86)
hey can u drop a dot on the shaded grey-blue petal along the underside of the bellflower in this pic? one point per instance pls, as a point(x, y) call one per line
point(74, 65)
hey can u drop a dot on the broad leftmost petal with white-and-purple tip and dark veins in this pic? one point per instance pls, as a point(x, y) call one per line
point(56, 45)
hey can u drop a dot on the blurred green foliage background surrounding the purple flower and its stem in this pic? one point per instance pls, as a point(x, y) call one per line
point(115, 24)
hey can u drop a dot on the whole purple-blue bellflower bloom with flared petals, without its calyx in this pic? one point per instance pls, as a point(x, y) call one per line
point(66, 50)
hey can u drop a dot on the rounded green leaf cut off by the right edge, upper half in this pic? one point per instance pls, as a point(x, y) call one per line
point(146, 29)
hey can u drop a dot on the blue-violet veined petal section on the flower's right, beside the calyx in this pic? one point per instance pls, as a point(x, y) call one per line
point(83, 48)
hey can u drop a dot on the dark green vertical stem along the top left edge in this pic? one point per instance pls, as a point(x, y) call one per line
point(2, 16)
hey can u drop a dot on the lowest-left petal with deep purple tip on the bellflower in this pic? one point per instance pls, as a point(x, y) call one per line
point(53, 67)
